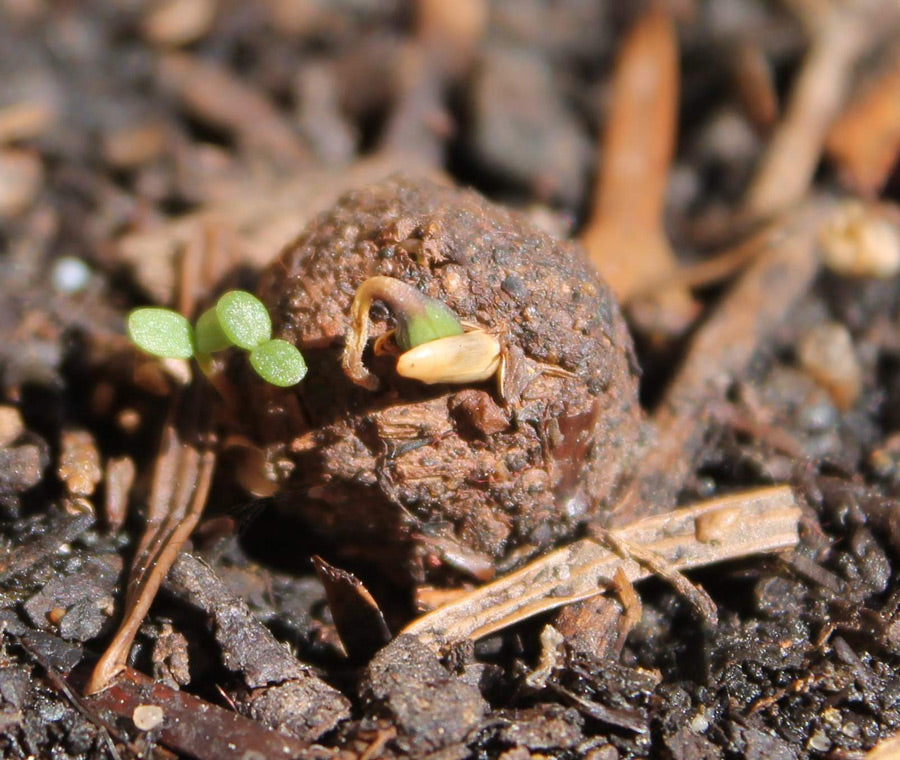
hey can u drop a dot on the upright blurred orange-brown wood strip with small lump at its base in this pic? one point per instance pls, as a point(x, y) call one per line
point(625, 237)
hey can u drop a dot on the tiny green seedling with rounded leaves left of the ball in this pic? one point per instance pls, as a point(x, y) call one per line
point(238, 319)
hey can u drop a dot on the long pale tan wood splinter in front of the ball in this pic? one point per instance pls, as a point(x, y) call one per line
point(768, 522)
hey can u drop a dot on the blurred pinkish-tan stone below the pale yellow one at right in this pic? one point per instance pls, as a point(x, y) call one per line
point(827, 354)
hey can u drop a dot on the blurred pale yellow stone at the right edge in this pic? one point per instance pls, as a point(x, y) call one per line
point(858, 242)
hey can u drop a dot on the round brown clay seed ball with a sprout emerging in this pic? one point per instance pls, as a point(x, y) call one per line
point(429, 479)
